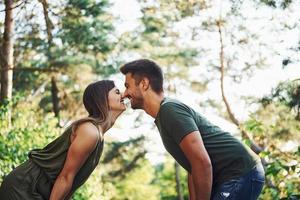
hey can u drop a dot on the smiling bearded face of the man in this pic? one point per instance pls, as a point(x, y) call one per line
point(133, 92)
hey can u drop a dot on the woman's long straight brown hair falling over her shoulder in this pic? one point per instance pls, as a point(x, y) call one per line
point(95, 100)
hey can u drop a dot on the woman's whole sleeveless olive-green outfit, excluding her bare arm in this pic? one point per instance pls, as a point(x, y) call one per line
point(34, 179)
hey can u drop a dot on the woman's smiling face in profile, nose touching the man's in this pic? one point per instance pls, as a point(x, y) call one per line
point(115, 100)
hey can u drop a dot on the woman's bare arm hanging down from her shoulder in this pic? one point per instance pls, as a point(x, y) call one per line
point(83, 144)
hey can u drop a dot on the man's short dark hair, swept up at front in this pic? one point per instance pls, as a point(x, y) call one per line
point(145, 68)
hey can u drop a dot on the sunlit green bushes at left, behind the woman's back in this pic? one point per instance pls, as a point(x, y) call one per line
point(28, 131)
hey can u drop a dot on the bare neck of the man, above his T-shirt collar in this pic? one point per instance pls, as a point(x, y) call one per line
point(152, 103)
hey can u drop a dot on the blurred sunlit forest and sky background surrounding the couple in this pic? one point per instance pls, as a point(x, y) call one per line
point(209, 50)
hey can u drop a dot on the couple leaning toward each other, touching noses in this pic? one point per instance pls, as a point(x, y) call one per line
point(219, 166)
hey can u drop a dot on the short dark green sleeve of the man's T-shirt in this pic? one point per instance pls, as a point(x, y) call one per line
point(177, 120)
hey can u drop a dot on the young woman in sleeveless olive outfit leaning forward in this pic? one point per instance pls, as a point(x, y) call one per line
point(57, 170)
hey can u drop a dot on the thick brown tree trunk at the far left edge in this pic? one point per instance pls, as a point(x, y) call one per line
point(7, 57)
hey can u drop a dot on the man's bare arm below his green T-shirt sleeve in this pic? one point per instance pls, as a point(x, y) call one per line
point(201, 169)
